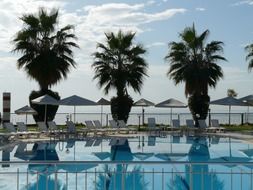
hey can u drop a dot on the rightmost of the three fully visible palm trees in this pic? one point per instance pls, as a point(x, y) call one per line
point(194, 62)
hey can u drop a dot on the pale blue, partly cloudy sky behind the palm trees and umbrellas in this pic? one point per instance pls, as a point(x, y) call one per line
point(156, 24)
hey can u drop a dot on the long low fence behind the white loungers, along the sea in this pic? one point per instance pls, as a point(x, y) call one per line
point(136, 118)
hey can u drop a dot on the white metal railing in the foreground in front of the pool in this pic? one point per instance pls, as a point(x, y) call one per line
point(125, 175)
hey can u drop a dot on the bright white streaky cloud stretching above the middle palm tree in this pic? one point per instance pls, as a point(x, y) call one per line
point(94, 21)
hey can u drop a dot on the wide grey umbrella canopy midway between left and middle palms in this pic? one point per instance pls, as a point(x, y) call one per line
point(76, 101)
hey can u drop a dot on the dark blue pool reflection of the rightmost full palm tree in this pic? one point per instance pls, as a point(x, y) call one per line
point(197, 176)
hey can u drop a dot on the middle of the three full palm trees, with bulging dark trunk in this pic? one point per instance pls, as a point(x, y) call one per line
point(119, 64)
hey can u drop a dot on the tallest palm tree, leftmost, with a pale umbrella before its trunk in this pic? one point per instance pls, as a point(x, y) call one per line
point(46, 52)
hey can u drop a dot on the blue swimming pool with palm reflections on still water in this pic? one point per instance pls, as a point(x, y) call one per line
point(140, 162)
